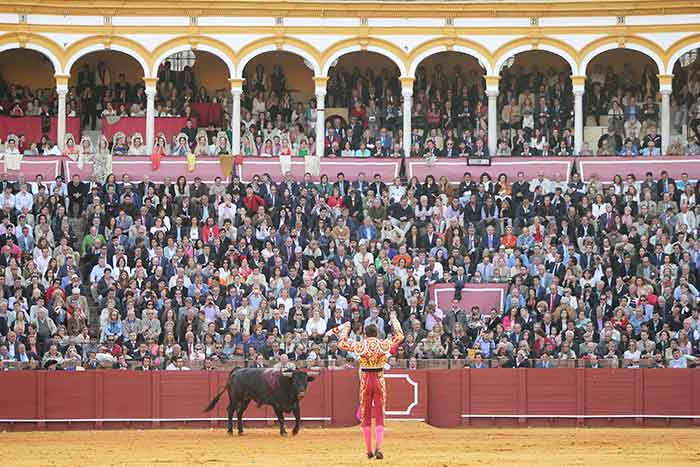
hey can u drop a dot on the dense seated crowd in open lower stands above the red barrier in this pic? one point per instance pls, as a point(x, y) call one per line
point(131, 273)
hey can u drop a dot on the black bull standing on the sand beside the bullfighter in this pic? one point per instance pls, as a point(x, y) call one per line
point(283, 390)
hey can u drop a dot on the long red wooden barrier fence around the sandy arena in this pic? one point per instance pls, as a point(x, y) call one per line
point(444, 398)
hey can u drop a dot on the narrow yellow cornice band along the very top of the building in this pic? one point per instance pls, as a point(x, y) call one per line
point(400, 9)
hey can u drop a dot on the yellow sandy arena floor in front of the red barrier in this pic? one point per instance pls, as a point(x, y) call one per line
point(407, 444)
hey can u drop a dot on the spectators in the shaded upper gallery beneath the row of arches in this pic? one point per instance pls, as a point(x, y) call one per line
point(449, 112)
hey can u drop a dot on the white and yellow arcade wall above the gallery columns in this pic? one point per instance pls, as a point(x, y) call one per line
point(577, 38)
